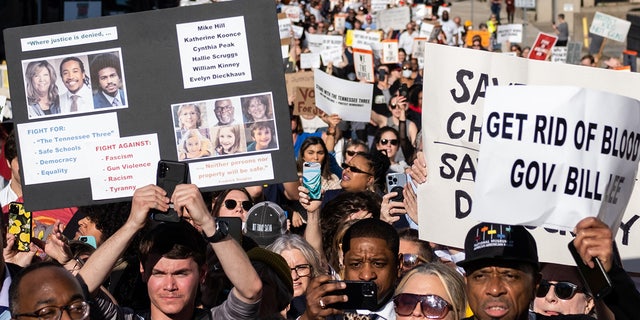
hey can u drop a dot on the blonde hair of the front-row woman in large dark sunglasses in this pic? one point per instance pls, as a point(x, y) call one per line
point(452, 281)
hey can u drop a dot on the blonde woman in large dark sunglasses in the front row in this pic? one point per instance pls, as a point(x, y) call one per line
point(433, 291)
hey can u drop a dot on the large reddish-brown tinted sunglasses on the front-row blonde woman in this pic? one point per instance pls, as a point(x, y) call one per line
point(432, 306)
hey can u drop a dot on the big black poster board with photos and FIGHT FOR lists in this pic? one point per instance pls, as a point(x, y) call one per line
point(195, 59)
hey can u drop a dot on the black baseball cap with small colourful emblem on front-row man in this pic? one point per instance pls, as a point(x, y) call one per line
point(495, 243)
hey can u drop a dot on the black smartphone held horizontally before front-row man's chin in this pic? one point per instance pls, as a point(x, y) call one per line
point(361, 295)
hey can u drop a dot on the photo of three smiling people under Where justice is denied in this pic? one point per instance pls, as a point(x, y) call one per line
point(79, 83)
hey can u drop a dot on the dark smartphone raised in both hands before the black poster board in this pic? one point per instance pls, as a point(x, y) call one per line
point(168, 176)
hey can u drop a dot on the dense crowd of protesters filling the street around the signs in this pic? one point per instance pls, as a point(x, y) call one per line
point(275, 252)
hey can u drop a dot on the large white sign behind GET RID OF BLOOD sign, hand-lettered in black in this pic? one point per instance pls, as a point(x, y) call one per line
point(452, 124)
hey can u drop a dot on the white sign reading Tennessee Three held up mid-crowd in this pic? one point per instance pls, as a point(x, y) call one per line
point(350, 100)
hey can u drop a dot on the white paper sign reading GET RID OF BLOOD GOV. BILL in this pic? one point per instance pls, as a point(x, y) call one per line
point(557, 156)
